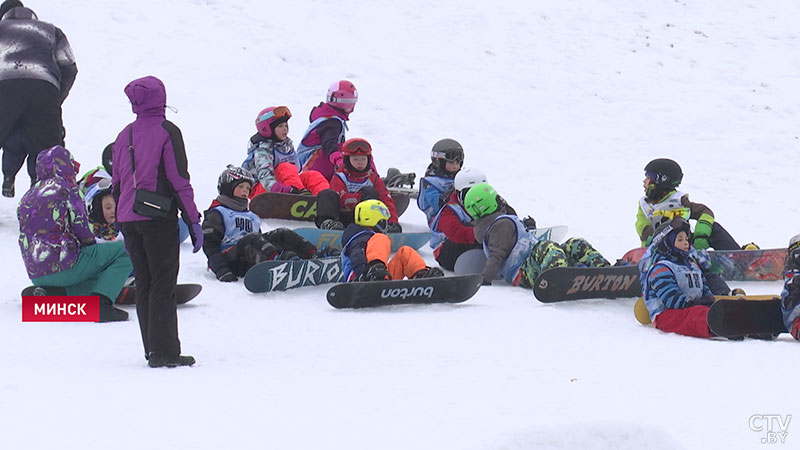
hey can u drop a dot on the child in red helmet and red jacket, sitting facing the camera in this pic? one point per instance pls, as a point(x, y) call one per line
point(356, 182)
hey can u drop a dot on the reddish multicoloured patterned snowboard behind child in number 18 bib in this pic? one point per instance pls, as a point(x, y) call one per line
point(735, 265)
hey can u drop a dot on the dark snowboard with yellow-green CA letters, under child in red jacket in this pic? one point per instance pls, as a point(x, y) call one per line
point(272, 205)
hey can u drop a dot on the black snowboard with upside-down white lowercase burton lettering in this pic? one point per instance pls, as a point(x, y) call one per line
point(368, 294)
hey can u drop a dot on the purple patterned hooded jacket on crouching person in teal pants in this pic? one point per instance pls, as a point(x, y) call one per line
point(53, 224)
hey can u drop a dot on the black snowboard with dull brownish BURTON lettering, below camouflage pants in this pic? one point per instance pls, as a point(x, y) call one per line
point(576, 283)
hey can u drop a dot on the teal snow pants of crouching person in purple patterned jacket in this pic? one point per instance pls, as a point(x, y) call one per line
point(100, 269)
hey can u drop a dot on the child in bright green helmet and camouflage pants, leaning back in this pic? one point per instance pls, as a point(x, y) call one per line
point(512, 251)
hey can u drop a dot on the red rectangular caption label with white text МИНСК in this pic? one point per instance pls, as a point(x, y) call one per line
point(61, 308)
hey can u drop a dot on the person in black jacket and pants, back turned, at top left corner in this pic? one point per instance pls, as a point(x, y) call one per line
point(37, 71)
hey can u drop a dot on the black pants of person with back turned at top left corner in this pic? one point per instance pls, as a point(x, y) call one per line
point(34, 106)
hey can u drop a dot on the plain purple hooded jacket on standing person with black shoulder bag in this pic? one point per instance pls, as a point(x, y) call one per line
point(159, 154)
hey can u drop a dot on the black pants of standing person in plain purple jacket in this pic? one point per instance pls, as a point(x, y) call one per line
point(153, 247)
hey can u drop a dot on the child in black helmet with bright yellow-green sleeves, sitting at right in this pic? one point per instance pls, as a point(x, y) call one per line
point(662, 202)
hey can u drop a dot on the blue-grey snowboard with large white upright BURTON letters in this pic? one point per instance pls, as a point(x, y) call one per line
point(271, 276)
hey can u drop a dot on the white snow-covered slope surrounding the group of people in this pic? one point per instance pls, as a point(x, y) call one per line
point(561, 103)
